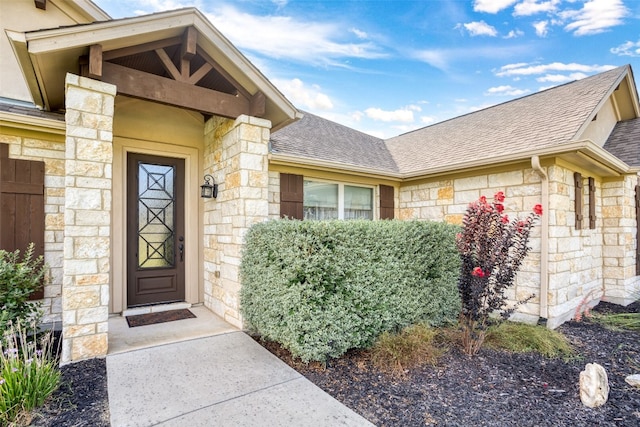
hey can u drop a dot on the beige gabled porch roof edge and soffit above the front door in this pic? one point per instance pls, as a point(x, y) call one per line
point(46, 56)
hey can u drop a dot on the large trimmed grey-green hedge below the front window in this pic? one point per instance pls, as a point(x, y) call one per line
point(320, 288)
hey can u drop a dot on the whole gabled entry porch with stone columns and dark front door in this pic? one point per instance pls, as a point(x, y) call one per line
point(170, 97)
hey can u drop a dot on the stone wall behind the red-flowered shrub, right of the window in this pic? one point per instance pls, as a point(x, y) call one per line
point(447, 200)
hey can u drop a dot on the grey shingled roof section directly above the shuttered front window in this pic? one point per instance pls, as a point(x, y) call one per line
point(313, 137)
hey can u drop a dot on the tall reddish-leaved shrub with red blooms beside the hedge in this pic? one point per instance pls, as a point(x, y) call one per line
point(492, 249)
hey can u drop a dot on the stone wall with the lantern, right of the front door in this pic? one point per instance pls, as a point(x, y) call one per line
point(236, 156)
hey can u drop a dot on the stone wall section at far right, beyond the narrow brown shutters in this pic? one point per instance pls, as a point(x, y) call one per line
point(621, 284)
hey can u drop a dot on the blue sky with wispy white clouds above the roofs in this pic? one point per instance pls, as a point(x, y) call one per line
point(386, 67)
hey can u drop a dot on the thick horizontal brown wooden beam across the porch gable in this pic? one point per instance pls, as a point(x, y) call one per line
point(181, 94)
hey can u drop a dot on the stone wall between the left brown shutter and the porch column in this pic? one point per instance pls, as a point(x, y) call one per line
point(53, 153)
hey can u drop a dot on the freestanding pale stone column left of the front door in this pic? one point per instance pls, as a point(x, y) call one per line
point(87, 217)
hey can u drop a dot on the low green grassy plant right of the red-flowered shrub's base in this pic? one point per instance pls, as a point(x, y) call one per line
point(523, 338)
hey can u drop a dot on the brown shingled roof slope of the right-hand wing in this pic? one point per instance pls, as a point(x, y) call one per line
point(542, 121)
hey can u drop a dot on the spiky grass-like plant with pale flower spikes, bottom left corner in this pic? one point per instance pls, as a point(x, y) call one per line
point(28, 371)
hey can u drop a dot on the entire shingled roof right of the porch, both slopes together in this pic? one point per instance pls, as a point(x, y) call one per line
point(544, 121)
